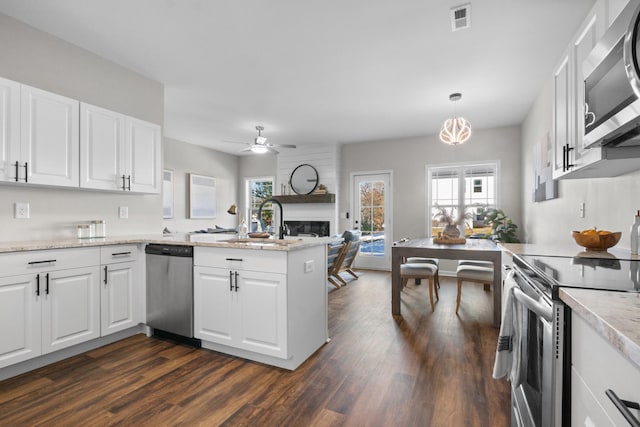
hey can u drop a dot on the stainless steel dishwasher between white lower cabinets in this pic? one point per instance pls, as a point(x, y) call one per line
point(170, 292)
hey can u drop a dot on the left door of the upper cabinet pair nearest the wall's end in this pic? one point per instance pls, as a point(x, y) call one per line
point(101, 148)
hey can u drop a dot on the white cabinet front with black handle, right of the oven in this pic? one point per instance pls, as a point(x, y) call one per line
point(603, 367)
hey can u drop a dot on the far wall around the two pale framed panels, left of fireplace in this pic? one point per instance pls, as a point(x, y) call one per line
point(184, 159)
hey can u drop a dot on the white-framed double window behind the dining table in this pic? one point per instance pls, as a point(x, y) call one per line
point(461, 193)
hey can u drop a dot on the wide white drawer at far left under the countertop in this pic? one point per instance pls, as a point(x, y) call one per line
point(12, 264)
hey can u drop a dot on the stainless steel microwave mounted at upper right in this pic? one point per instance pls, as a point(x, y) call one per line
point(612, 84)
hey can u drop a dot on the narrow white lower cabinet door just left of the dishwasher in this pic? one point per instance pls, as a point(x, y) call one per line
point(118, 297)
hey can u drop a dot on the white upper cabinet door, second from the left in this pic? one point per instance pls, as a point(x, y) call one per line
point(49, 137)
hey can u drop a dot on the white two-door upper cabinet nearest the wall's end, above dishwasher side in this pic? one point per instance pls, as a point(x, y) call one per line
point(118, 152)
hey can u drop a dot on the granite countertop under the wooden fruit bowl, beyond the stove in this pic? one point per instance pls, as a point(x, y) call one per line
point(569, 249)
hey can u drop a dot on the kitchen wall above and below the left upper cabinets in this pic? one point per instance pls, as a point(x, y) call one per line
point(35, 58)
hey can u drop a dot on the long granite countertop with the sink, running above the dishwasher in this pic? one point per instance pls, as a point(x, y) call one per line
point(191, 239)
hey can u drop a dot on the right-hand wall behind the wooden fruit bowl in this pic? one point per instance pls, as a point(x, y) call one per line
point(610, 203)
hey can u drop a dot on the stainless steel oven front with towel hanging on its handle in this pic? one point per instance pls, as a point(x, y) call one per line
point(536, 389)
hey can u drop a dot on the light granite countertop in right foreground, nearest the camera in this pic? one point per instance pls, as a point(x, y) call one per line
point(615, 315)
